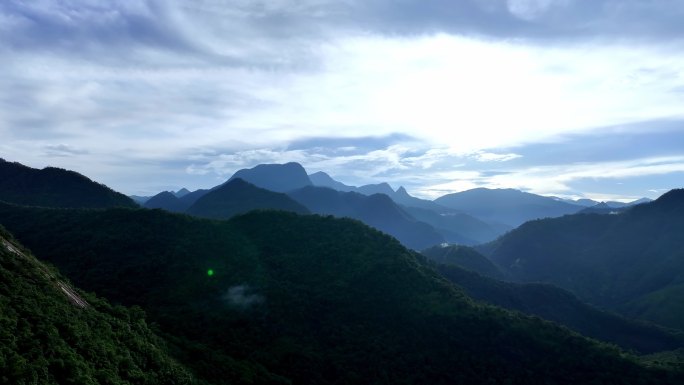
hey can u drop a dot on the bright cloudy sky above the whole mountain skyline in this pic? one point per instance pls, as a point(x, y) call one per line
point(571, 98)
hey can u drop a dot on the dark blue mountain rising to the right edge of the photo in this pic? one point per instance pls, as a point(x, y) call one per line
point(632, 262)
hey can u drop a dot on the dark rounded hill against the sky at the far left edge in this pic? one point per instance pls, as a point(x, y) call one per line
point(55, 187)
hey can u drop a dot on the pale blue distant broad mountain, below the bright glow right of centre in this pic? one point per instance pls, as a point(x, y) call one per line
point(507, 206)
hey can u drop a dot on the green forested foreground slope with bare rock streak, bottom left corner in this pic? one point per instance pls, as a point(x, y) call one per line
point(53, 333)
